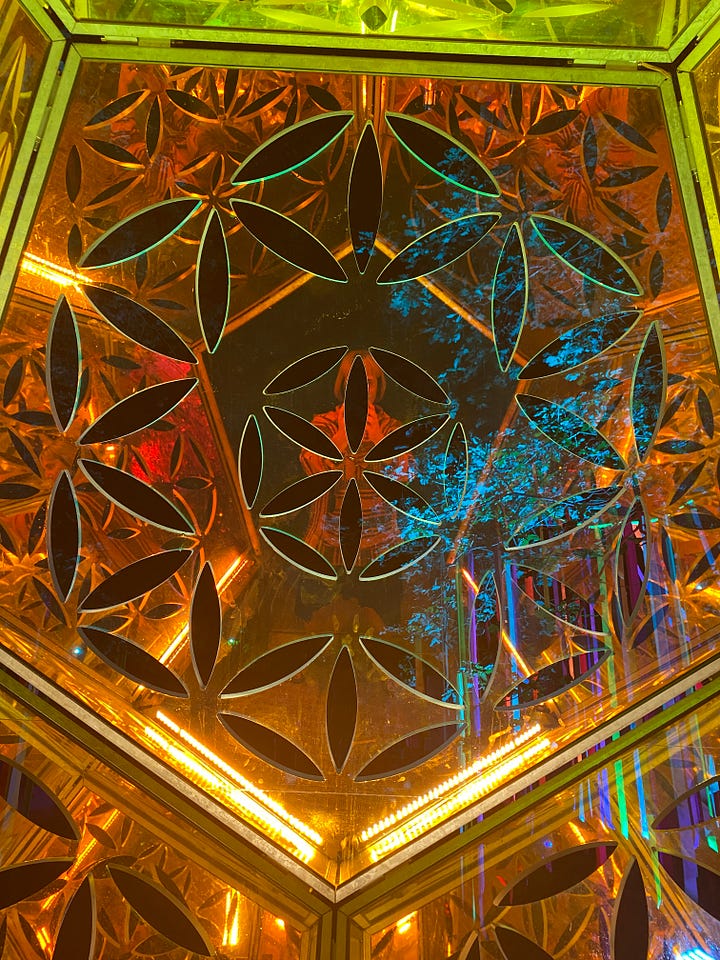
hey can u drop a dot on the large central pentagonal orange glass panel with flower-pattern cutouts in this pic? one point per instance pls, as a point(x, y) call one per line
point(360, 434)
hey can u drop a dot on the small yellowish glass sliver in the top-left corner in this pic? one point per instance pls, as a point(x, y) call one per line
point(22, 53)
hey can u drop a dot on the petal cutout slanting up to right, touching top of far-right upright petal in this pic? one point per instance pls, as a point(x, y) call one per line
point(580, 344)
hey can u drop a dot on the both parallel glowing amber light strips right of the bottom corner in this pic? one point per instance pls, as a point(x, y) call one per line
point(472, 790)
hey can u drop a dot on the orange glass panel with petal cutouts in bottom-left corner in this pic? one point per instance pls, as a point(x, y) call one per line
point(83, 878)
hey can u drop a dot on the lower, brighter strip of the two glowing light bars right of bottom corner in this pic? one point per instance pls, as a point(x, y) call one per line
point(471, 791)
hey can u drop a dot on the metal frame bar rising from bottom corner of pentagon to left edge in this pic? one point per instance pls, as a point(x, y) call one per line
point(256, 858)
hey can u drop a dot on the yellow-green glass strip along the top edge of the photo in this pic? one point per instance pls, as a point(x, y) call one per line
point(623, 23)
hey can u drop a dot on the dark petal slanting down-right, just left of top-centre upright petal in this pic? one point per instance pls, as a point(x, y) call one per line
point(288, 240)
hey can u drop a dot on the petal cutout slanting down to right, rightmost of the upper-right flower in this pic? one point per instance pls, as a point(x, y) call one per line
point(586, 255)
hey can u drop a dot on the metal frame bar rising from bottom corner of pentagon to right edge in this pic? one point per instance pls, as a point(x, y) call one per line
point(559, 771)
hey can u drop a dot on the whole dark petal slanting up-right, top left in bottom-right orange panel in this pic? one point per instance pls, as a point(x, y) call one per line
point(557, 873)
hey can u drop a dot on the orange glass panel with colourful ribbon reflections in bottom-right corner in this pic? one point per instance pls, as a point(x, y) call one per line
point(623, 864)
